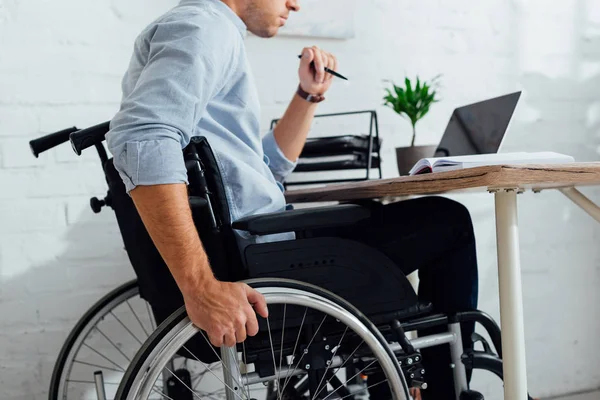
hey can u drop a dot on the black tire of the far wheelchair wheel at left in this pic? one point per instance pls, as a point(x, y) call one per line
point(59, 366)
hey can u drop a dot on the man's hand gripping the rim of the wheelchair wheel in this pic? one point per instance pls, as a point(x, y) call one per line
point(225, 311)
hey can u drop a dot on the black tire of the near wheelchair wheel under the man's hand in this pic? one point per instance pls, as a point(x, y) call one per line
point(175, 318)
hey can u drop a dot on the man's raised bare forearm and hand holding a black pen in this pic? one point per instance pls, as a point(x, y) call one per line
point(292, 129)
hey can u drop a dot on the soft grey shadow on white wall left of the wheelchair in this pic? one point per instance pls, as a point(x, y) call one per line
point(40, 307)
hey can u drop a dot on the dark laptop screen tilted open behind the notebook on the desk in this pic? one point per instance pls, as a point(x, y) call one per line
point(478, 128)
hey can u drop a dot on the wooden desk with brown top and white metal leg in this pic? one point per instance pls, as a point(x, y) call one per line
point(505, 182)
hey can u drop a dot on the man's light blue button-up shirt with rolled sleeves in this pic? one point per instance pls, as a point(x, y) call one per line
point(189, 76)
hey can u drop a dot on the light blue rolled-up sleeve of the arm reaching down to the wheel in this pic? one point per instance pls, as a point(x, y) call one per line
point(158, 116)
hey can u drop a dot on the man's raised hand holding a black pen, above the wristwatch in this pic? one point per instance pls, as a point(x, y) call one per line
point(313, 78)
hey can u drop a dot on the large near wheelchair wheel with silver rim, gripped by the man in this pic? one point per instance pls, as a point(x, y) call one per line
point(314, 345)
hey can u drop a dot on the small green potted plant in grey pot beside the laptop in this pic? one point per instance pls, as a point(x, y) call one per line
point(412, 102)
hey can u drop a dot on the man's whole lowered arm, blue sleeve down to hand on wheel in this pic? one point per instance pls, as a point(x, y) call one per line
point(155, 122)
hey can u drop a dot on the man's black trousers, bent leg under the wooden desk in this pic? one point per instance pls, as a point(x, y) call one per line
point(433, 235)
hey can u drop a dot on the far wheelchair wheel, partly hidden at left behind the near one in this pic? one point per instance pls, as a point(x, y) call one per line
point(104, 340)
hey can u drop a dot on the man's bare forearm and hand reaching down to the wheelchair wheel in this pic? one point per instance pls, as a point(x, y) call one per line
point(222, 309)
